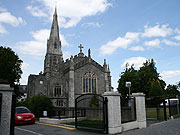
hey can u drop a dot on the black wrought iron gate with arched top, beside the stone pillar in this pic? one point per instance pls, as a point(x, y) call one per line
point(91, 112)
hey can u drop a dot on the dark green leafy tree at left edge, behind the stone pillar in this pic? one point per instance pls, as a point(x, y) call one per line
point(10, 68)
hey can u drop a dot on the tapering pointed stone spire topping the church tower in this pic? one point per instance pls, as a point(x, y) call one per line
point(55, 28)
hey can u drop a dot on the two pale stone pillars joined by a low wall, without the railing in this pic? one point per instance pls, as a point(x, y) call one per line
point(114, 113)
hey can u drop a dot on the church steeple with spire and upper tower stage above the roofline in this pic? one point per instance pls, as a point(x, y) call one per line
point(54, 56)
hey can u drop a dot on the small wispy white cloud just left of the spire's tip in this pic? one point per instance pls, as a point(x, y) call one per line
point(35, 11)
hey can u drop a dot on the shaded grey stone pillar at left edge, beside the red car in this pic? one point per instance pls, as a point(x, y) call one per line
point(6, 106)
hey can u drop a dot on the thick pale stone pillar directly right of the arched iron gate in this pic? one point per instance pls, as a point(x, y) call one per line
point(114, 112)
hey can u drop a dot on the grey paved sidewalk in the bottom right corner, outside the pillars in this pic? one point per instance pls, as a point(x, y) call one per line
point(170, 127)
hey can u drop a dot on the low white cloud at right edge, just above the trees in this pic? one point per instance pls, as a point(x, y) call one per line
point(170, 74)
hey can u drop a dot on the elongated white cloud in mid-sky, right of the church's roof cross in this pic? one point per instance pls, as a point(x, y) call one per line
point(111, 46)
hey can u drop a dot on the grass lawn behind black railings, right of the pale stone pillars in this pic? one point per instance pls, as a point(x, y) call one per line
point(152, 113)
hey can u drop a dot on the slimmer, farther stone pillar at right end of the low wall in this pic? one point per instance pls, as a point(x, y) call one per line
point(140, 109)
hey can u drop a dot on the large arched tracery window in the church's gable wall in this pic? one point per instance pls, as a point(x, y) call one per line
point(89, 83)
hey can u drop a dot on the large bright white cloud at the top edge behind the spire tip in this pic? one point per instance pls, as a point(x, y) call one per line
point(70, 12)
